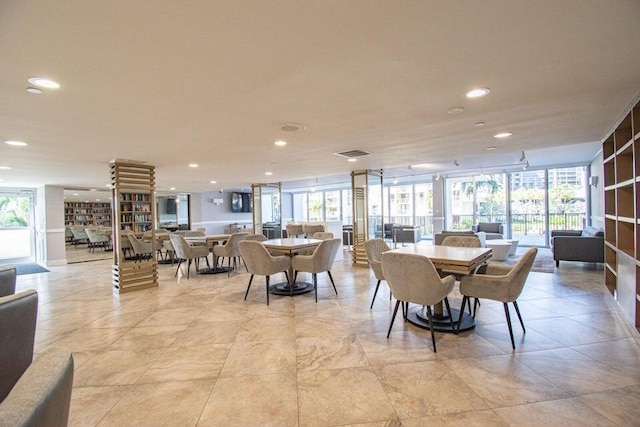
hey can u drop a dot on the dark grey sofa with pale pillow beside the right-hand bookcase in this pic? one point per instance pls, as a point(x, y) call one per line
point(578, 245)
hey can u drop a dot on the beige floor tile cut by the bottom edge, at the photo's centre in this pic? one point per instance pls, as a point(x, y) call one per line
point(342, 396)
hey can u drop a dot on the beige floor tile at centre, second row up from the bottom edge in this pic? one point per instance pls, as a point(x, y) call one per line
point(329, 353)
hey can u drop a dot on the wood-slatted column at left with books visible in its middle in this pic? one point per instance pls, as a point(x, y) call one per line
point(133, 186)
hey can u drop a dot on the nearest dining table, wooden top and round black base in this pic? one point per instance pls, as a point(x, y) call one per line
point(449, 260)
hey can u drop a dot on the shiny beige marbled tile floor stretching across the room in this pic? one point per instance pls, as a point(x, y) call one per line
point(193, 353)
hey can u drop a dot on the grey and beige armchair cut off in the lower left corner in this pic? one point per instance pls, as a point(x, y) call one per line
point(32, 393)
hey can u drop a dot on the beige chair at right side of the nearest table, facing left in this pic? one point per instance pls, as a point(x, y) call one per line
point(500, 283)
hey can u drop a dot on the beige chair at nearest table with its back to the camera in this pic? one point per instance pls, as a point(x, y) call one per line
point(413, 278)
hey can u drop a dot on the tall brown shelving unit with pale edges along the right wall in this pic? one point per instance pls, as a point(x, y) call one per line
point(621, 154)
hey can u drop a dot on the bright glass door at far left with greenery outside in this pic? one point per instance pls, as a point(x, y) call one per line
point(17, 230)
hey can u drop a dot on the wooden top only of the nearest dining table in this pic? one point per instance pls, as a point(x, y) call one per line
point(450, 258)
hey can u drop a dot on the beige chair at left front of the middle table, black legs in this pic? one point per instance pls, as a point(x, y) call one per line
point(259, 261)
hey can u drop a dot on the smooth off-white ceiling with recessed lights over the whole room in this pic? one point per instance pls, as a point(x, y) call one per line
point(211, 82)
